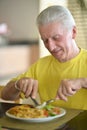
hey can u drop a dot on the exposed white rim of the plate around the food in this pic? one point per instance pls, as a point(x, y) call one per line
point(62, 113)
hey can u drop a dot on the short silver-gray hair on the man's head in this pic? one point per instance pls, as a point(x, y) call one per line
point(56, 13)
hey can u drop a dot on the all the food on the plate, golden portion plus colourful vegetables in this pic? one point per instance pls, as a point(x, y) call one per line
point(27, 111)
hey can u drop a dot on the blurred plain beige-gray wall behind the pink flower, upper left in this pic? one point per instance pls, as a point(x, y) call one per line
point(20, 15)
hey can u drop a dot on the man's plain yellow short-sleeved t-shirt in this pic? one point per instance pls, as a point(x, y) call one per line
point(49, 72)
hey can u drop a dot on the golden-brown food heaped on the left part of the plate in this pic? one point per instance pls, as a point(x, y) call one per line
point(26, 111)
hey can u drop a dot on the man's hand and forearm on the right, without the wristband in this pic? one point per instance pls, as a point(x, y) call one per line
point(69, 87)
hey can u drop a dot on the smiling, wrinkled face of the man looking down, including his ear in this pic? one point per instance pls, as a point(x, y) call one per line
point(57, 40)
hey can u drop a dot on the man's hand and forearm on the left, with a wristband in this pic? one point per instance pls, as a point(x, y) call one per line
point(28, 86)
